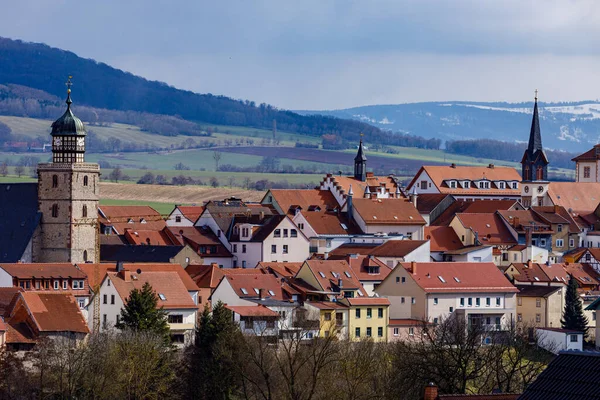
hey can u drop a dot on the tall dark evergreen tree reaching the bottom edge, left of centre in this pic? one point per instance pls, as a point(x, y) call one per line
point(212, 359)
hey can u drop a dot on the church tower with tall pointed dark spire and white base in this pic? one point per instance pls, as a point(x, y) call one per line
point(534, 166)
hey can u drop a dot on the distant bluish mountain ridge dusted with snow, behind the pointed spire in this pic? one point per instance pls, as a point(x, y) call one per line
point(571, 126)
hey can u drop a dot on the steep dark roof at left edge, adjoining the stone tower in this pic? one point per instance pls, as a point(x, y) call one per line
point(19, 217)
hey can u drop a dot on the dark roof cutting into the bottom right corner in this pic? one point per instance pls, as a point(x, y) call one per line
point(572, 375)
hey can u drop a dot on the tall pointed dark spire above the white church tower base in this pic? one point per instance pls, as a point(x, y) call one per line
point(535, 163)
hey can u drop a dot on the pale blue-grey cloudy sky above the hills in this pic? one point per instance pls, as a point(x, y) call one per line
point(328, 54)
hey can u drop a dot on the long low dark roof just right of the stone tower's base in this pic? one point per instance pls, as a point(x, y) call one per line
point(128, 253)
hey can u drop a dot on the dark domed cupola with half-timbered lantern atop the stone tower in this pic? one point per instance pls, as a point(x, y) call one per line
point(68, 135)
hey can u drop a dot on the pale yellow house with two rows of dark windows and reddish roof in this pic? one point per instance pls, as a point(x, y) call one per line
point(368, 318)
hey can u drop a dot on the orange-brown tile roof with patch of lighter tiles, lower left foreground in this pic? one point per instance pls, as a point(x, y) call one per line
point(54, 312)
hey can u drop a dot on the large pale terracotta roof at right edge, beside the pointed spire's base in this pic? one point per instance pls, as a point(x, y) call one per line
point(580, 197)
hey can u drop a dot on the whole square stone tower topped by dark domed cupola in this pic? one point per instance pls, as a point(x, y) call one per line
point(68, 192)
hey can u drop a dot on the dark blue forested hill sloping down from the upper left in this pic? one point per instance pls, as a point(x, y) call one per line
point(99, 85)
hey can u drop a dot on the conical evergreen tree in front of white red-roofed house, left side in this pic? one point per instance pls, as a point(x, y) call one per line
point(141, 313)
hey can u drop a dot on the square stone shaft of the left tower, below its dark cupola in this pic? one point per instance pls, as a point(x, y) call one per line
point(69, 236)
